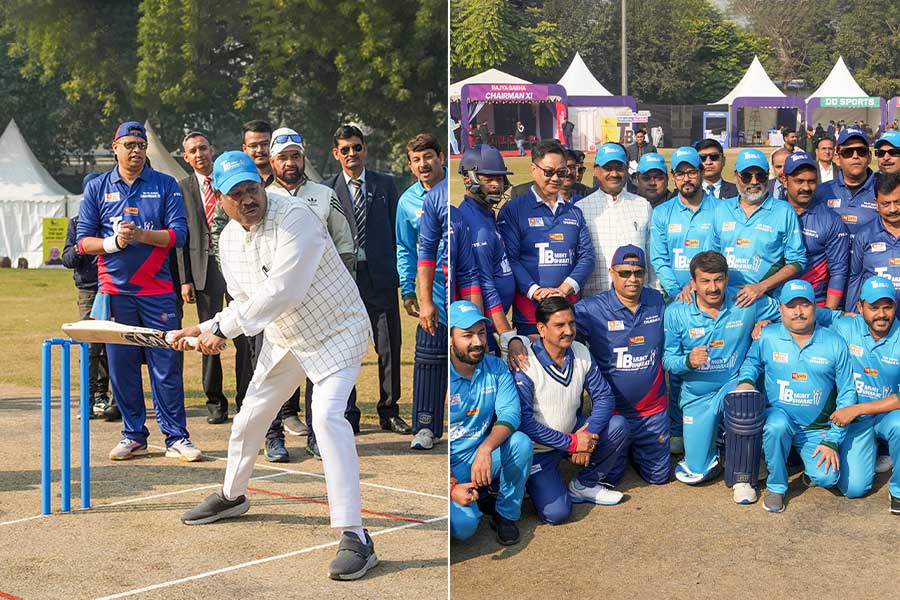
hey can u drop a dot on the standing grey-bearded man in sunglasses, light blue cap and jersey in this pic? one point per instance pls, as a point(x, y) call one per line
point(758, 234)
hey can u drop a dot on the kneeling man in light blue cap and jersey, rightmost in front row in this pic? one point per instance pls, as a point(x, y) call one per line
point(873, 339)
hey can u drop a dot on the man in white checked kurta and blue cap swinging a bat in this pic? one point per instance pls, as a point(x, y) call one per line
point(287, 279)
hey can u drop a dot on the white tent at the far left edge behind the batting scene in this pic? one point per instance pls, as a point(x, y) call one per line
point(28, 194)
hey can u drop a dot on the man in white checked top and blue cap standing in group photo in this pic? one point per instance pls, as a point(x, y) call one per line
point(615, 217)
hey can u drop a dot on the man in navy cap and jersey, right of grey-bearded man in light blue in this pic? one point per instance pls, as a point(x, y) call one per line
point(825, 236)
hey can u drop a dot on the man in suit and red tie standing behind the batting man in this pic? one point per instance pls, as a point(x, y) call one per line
point(201, 280)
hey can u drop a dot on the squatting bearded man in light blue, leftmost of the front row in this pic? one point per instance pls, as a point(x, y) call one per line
point(484, 441)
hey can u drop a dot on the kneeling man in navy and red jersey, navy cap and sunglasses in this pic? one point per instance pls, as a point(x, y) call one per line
point(623, 328)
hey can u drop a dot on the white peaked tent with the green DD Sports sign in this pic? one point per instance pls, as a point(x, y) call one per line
point(841, 97)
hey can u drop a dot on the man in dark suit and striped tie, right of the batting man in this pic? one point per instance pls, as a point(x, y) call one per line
point(369, 200)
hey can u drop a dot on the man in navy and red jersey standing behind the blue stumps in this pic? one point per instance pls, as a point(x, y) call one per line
point(131, 217)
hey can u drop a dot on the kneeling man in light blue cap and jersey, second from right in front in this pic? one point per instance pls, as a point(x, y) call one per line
point(808, 375)
